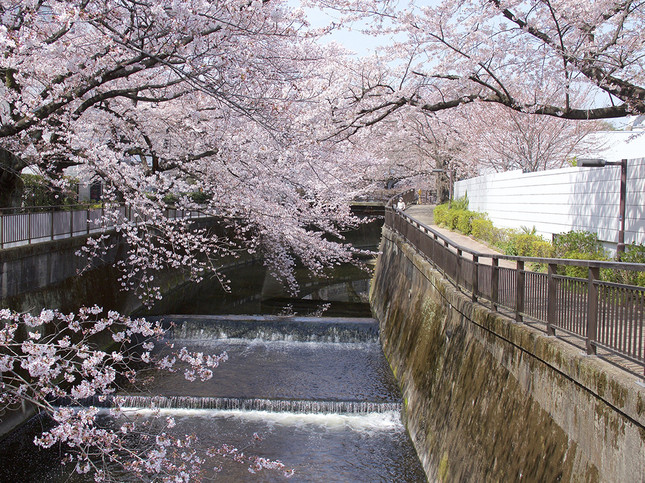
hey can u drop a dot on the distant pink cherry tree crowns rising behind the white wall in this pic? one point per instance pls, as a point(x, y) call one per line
point(426, 149)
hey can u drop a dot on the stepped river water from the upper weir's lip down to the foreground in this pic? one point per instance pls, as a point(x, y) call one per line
point(330, 411)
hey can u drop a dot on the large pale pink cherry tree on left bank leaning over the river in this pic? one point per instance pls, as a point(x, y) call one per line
point(164, 100)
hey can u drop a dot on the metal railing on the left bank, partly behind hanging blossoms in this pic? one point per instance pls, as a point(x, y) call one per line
point(26, 226)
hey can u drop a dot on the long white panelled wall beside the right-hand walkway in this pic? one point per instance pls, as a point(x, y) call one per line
point(561, 200)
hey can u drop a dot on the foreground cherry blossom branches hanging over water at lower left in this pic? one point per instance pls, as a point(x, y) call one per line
point(54, 357)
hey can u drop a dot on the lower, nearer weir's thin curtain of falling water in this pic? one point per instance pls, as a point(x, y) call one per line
point(242, 404)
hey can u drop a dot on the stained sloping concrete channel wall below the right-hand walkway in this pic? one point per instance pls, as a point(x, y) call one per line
point(488, 399)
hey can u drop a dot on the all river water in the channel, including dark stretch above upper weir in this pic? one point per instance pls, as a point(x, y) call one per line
point(316, 390)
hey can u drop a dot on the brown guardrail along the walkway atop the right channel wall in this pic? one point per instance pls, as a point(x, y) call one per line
point(604, 314)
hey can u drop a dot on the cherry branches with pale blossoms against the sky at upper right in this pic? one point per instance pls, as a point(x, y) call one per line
point(531, 56)
